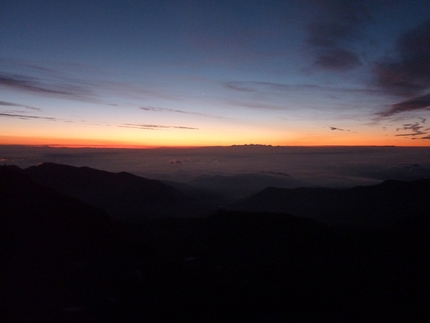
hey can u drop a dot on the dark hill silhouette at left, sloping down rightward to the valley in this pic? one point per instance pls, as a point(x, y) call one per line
point(121, 195)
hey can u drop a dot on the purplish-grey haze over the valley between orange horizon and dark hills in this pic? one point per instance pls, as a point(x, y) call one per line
point(242, 170)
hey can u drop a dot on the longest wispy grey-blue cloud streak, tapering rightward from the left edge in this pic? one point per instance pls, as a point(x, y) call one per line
point(35, 79)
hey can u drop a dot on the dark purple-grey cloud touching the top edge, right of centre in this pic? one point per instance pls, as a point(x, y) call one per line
point(331, 39)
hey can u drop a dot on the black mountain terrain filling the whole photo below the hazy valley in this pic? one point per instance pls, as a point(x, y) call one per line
point(64, 260)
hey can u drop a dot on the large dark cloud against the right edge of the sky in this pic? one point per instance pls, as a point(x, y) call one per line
point(407, 73)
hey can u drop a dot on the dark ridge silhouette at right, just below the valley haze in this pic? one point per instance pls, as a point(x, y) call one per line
point(370, 205)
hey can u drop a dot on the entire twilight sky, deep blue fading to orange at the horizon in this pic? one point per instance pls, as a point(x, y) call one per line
point(207, 73)
